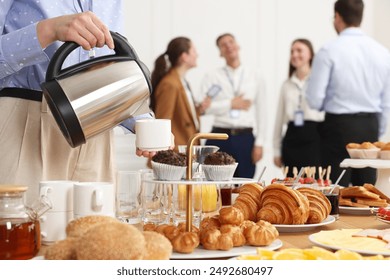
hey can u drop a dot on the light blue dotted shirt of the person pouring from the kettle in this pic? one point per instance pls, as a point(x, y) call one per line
point(23, 62)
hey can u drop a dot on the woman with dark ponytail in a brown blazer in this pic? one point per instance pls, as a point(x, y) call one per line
point(172, 97)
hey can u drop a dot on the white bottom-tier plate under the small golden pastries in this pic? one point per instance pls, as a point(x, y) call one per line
point(200, 253)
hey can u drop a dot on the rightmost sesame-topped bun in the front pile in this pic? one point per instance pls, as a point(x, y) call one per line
point(157, 246)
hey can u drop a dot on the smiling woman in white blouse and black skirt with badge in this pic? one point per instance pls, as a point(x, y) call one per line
point(296, 138)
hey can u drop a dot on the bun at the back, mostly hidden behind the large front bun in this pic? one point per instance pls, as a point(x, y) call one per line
point(78, 227)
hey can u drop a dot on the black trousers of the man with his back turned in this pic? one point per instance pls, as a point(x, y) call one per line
point(339, 130)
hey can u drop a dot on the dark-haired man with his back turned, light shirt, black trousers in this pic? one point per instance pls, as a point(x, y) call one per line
point(350, 81)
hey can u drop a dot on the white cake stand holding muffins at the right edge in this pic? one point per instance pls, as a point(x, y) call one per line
point(382, 166)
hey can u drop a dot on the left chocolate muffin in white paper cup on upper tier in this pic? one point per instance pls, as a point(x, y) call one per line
point(169, 165)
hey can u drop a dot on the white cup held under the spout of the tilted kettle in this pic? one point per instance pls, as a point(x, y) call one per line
point(153, 134)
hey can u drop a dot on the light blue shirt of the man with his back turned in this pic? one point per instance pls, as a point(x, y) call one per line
point(351, 74)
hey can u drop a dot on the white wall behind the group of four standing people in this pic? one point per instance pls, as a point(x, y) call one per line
point(263, 28)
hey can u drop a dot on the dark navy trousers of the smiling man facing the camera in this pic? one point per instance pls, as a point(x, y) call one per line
point(240, 147)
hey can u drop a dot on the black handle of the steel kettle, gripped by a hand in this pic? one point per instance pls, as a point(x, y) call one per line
point(122, 48)
